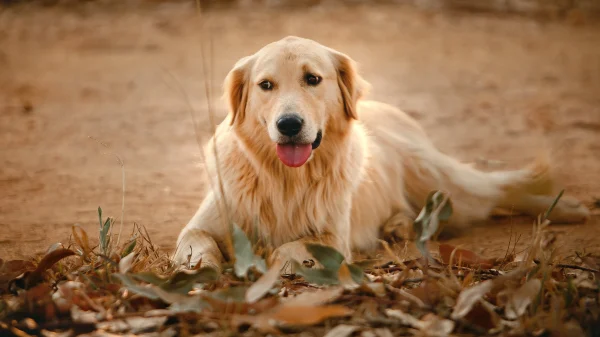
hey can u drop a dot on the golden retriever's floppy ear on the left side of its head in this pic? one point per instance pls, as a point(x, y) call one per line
point(236, 88)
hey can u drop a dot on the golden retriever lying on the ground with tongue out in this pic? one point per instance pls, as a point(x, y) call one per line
point(302, 157)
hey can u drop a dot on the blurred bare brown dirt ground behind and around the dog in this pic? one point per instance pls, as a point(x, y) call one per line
point(483, 87)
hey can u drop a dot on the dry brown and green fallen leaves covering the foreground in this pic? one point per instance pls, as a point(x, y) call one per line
point(133, 289)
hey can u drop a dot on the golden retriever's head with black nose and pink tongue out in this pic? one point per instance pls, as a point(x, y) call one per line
point(294, 90)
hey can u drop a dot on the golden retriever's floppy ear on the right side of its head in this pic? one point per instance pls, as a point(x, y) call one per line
point(352, 85)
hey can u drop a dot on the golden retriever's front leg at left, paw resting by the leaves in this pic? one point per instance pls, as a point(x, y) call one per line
point(199, 240)
